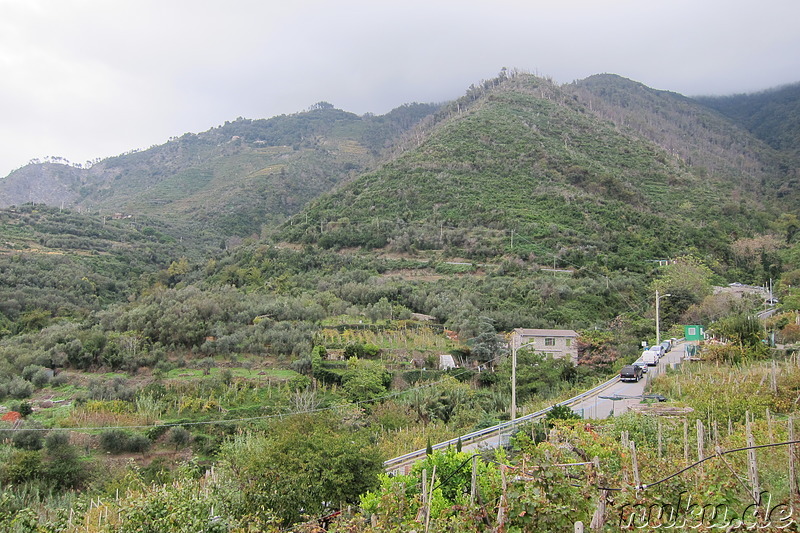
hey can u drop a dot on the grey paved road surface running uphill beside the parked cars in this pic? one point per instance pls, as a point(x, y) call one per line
point(601, 407)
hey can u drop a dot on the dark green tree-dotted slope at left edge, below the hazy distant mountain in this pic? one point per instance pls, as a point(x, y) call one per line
point(56, 264)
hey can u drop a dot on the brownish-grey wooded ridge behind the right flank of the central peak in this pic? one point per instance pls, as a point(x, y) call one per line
point(713, 146)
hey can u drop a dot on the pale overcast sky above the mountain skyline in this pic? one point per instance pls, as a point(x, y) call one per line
point(93, 78)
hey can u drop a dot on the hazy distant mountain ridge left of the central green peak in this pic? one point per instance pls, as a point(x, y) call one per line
point(227, 181)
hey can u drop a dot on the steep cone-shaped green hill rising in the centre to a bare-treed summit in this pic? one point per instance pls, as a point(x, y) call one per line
point(520, 156)
